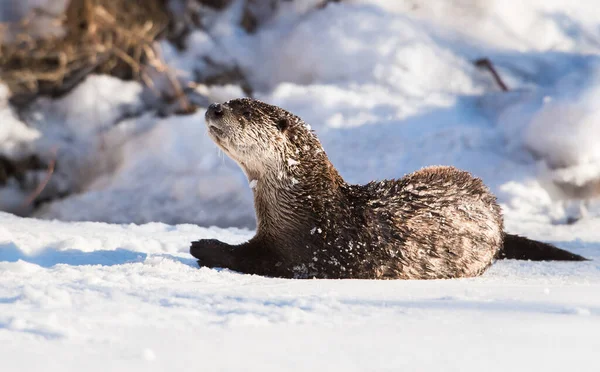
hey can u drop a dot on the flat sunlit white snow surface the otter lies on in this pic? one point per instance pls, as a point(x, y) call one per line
point(93, 296)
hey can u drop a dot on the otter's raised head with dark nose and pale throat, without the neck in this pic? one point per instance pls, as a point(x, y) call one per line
point(263, 139)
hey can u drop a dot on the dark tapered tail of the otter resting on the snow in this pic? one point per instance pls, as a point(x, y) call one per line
point(520, 248)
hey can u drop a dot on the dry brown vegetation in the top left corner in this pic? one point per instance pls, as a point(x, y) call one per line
point(103, 36)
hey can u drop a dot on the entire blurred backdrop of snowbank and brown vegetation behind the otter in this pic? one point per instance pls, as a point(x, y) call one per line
point(102, 101)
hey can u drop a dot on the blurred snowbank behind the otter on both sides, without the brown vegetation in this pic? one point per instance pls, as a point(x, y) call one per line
point(389, 87)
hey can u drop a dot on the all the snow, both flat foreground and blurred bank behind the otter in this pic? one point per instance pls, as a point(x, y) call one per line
point(389, 87)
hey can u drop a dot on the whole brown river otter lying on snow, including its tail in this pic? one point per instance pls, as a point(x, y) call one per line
point(438, 222)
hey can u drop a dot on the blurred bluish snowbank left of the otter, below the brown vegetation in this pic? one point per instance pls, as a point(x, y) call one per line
point(121, 163)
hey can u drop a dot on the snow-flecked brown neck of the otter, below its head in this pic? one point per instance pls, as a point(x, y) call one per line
point(292, 201)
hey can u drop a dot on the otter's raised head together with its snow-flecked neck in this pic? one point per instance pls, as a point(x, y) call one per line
point(291, 176)
